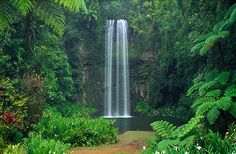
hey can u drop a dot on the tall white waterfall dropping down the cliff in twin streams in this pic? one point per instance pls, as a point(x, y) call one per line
point(117, 97)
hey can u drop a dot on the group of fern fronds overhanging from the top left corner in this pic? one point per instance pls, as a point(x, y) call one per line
point(49, 11)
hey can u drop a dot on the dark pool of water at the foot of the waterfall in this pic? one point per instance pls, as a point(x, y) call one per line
point(140, 123)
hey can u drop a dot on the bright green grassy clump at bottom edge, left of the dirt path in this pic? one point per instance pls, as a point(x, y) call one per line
point(35, 144)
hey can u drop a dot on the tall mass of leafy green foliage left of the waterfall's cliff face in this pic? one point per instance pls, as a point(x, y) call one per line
point(58, 83)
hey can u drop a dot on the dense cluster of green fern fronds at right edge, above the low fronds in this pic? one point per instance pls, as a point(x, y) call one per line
point(212, 96)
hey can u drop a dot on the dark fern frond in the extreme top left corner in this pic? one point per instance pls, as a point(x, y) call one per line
point(7, 14)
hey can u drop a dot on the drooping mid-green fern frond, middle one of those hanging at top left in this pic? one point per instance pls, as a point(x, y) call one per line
point(52, 15)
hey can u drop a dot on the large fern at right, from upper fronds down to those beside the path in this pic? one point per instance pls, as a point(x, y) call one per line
point(213, 96)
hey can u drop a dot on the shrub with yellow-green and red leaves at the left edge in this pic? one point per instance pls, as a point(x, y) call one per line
point(13, 110)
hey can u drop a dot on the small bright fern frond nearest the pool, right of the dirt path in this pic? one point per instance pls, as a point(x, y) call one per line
point(163, 128)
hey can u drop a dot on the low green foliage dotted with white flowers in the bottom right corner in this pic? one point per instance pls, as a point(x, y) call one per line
point(203, 141)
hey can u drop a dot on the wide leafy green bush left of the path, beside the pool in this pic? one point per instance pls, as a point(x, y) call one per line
point(75, 130)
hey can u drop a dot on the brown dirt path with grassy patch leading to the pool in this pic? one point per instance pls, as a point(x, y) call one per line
point(131, 142)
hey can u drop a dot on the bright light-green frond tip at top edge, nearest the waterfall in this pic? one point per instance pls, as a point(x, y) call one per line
point(73, 5)
